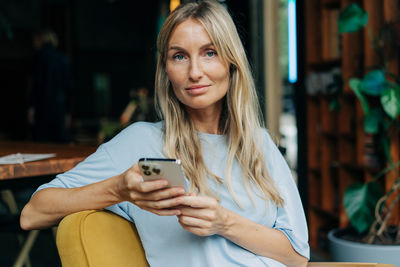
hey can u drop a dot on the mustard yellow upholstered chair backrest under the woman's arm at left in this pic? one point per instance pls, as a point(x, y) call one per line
point(99, 238)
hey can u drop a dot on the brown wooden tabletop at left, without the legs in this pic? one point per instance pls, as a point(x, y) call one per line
point(67, 156)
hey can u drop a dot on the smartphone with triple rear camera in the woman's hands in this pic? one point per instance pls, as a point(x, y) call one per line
point(156, 168)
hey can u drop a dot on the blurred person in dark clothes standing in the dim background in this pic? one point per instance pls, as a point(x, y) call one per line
point(49, 113)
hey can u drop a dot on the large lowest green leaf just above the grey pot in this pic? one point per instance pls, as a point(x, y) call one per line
point(359, 202)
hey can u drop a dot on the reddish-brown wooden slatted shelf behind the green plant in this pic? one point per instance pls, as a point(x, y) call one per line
point(336, 139)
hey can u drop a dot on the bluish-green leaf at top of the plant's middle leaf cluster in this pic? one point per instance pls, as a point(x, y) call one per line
point(374, 83)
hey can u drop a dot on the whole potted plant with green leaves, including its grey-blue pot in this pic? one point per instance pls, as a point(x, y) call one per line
point(369, 209)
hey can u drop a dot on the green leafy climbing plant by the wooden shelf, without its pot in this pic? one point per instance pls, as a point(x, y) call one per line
point(379, 94)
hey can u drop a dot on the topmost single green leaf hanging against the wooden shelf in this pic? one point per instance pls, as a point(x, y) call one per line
point(352, 19)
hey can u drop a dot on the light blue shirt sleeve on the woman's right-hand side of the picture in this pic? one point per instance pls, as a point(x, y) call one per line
point(290, 217)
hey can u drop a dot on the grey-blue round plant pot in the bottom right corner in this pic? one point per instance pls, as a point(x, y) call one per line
point(349, 251)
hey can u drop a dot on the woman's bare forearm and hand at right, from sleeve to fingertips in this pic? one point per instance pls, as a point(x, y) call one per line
point(204, 216)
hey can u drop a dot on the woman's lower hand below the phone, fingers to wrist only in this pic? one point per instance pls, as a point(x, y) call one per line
point(203, 216)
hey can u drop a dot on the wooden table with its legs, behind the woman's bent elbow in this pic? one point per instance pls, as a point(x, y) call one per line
point(16, 175)
